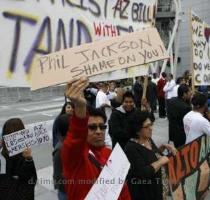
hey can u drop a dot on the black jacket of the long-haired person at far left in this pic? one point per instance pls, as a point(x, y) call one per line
point(20, 179)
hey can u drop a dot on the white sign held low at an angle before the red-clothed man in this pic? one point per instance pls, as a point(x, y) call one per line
point(111, 180)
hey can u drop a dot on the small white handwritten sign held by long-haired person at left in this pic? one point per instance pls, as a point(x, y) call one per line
point(18, 141)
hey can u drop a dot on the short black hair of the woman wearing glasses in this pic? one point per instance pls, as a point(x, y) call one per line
point(135, 122)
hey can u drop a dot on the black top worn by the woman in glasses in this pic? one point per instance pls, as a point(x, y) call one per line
point(143, 182)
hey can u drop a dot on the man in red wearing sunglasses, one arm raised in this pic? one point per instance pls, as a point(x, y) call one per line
point(84, 153)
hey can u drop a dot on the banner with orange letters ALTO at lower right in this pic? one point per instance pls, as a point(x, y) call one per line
point(189, 171)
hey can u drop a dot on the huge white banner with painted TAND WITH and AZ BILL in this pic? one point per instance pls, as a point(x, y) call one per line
point(38, 27)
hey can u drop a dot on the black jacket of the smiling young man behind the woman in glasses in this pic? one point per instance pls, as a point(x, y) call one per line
point(117, 126)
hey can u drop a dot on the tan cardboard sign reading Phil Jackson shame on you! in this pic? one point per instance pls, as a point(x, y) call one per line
point(99, 57)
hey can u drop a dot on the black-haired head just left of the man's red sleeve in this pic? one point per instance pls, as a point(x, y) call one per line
point(62, 125)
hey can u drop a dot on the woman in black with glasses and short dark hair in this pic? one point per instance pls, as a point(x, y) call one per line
point(146, 173)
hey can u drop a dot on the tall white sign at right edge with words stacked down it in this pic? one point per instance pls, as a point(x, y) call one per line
point(201, 51)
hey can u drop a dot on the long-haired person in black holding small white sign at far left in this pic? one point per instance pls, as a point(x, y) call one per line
point(21, 177)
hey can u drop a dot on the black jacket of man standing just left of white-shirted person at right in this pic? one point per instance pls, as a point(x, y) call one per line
point(177, 109)
